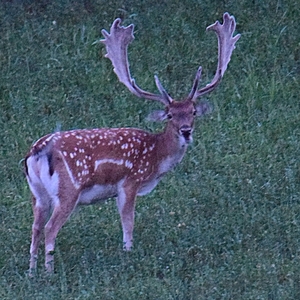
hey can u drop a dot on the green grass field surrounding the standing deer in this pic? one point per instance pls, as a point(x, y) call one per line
point(225, 223)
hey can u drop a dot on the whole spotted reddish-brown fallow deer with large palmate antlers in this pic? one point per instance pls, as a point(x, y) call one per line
point(77, 167)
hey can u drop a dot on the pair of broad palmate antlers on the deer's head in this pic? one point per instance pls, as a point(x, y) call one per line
point(120, 37)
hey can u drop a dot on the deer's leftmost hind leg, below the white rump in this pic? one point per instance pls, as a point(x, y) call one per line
point(40, 216)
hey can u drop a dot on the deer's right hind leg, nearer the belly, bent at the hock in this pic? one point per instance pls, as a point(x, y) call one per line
point(60, 215)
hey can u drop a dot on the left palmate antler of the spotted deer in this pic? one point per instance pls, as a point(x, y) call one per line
point(116, 43)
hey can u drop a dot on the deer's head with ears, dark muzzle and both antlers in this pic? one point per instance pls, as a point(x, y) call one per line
point(180, 114)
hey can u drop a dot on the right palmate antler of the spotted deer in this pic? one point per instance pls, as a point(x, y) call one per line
point(226, 44)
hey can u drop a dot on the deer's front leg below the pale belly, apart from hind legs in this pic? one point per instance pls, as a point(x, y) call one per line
point(126, 204)
